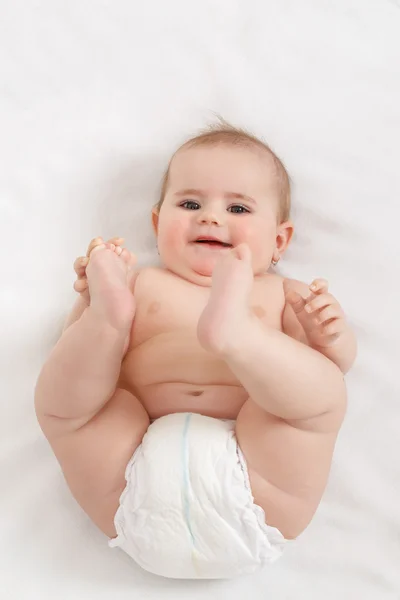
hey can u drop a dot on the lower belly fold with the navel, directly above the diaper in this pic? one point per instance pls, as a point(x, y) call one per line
point(219, 401)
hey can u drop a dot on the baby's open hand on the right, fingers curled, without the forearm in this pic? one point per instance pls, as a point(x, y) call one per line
point(320, 314)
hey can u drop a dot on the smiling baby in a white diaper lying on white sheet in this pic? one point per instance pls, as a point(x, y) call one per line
point(194, 408)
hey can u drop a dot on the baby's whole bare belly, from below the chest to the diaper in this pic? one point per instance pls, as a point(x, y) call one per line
point(172, 373)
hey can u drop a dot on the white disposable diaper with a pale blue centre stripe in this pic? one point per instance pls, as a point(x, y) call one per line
point(187, 510)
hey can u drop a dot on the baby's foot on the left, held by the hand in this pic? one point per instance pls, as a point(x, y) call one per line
point(108, 276)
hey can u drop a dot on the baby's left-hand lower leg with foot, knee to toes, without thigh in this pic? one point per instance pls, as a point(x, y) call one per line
point(82, 371)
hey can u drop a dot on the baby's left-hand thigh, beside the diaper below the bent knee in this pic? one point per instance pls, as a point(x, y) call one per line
point(95, 457)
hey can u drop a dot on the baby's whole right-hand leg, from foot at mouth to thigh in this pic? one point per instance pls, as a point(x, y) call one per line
point(288, 427)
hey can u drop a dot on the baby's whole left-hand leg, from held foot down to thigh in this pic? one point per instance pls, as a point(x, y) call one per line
point(92, 427)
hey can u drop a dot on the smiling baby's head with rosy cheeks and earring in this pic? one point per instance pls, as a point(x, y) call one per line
point(223, 185)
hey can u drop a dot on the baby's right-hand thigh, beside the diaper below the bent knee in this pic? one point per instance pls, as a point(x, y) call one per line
point(288, 467)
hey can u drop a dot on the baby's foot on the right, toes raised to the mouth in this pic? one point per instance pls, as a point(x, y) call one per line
point(223, 321)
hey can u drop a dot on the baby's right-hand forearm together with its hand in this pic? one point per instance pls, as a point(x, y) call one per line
point(314, 316)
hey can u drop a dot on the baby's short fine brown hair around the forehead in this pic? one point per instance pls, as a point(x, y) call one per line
point(223, 132)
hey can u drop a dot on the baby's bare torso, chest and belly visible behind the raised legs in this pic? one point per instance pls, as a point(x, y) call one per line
point(165, 364)
